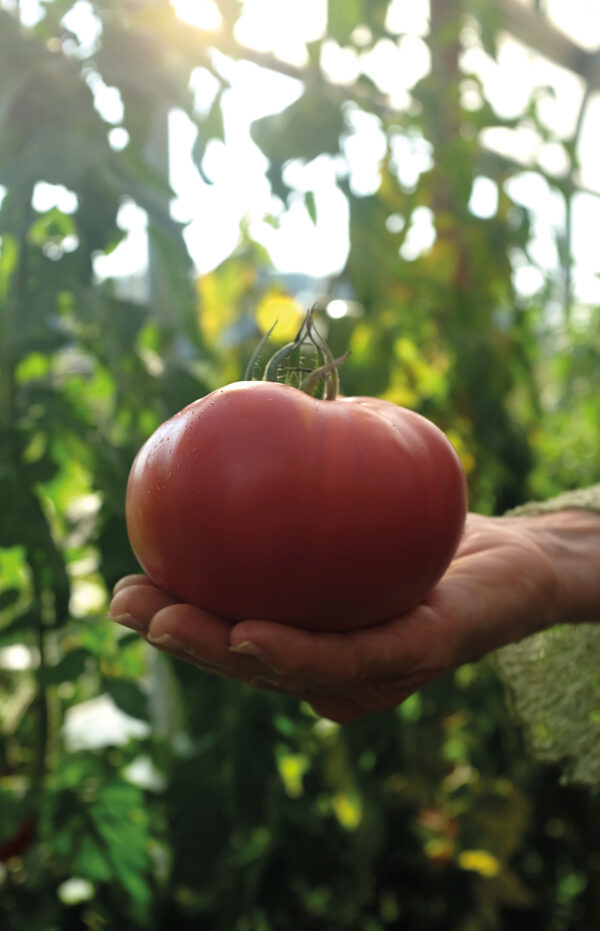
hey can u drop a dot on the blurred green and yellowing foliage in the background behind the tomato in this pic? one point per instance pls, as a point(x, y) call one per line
point(208, 805)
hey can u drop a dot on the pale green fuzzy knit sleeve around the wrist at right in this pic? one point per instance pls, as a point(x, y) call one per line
point(553, 678)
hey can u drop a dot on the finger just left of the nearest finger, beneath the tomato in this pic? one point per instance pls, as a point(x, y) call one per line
point(200, 637)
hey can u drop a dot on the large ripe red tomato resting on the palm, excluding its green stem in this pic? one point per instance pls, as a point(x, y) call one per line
point(259, 501)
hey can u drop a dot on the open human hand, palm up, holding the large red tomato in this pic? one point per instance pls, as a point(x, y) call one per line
point(501, 586)
